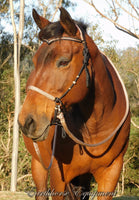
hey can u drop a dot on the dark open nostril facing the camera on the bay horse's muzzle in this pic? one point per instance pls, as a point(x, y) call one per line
point(30, 125)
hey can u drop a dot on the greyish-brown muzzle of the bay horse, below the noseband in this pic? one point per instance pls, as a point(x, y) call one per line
point(37, 130)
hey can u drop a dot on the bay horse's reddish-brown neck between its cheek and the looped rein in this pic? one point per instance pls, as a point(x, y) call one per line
point(96, 108)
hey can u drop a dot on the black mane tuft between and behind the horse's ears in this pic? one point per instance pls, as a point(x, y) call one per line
point(56, 30)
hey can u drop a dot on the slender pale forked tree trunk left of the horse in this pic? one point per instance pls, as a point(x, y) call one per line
point(17, 46)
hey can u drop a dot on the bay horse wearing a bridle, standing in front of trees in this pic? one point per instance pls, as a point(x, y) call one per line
point(75, 118)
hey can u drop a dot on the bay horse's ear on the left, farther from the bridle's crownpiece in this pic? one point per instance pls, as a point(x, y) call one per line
point(40, 21)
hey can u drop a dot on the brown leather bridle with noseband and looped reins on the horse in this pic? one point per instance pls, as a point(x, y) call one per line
point(59, 104)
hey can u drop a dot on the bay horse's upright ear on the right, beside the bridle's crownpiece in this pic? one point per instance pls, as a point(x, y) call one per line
point(67, 22)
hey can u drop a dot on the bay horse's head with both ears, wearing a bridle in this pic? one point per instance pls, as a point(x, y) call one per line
point(63, 70)
